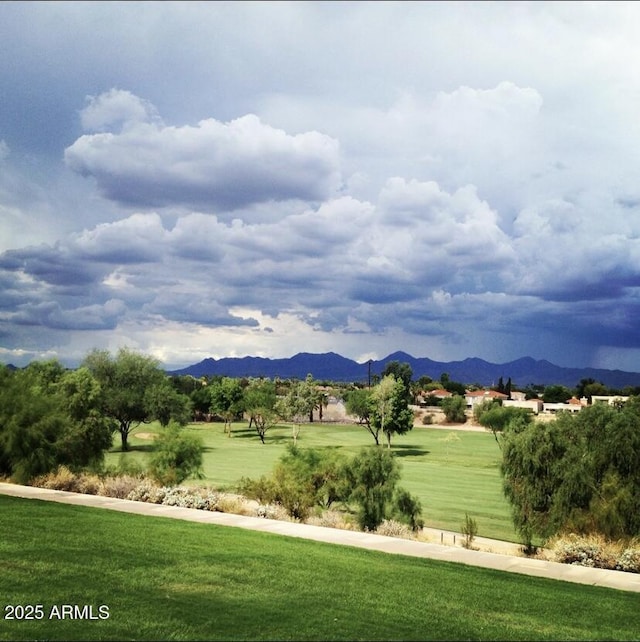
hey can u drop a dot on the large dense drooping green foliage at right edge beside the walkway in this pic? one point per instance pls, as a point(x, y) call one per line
point(577, 473)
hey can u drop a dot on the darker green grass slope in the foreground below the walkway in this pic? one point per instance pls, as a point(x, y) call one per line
point(163, 579)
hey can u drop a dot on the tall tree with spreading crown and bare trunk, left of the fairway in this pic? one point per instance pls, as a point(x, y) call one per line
point(124, 381)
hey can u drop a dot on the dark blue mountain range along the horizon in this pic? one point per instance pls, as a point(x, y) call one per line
point(334, 367)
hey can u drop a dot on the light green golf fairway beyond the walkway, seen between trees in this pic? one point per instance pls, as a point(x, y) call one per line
point(452, 473)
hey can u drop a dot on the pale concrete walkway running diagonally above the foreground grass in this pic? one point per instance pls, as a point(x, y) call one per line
point(539, 568)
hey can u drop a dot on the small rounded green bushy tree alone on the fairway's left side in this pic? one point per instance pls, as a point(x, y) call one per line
point(176, 456)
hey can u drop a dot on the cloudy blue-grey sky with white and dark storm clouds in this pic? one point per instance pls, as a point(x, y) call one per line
point(219, 179)
